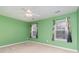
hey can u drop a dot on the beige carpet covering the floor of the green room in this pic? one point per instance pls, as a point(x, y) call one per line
point(32, 48)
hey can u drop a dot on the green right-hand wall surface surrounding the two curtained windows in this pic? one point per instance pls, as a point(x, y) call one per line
point(45, 31)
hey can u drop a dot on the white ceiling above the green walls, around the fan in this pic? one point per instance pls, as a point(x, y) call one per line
point(18, 12)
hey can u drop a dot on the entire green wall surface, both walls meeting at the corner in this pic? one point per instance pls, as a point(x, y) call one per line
point(13, 31)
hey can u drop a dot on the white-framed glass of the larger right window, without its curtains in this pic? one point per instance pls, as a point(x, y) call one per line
point(61, 29)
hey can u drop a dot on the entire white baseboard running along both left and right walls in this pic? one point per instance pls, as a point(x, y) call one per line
point(39, 43)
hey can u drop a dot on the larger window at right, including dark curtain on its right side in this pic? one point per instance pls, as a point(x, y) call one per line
point(62, 30)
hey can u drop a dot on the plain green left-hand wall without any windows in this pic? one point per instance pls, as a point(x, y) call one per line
point(12, 30)
